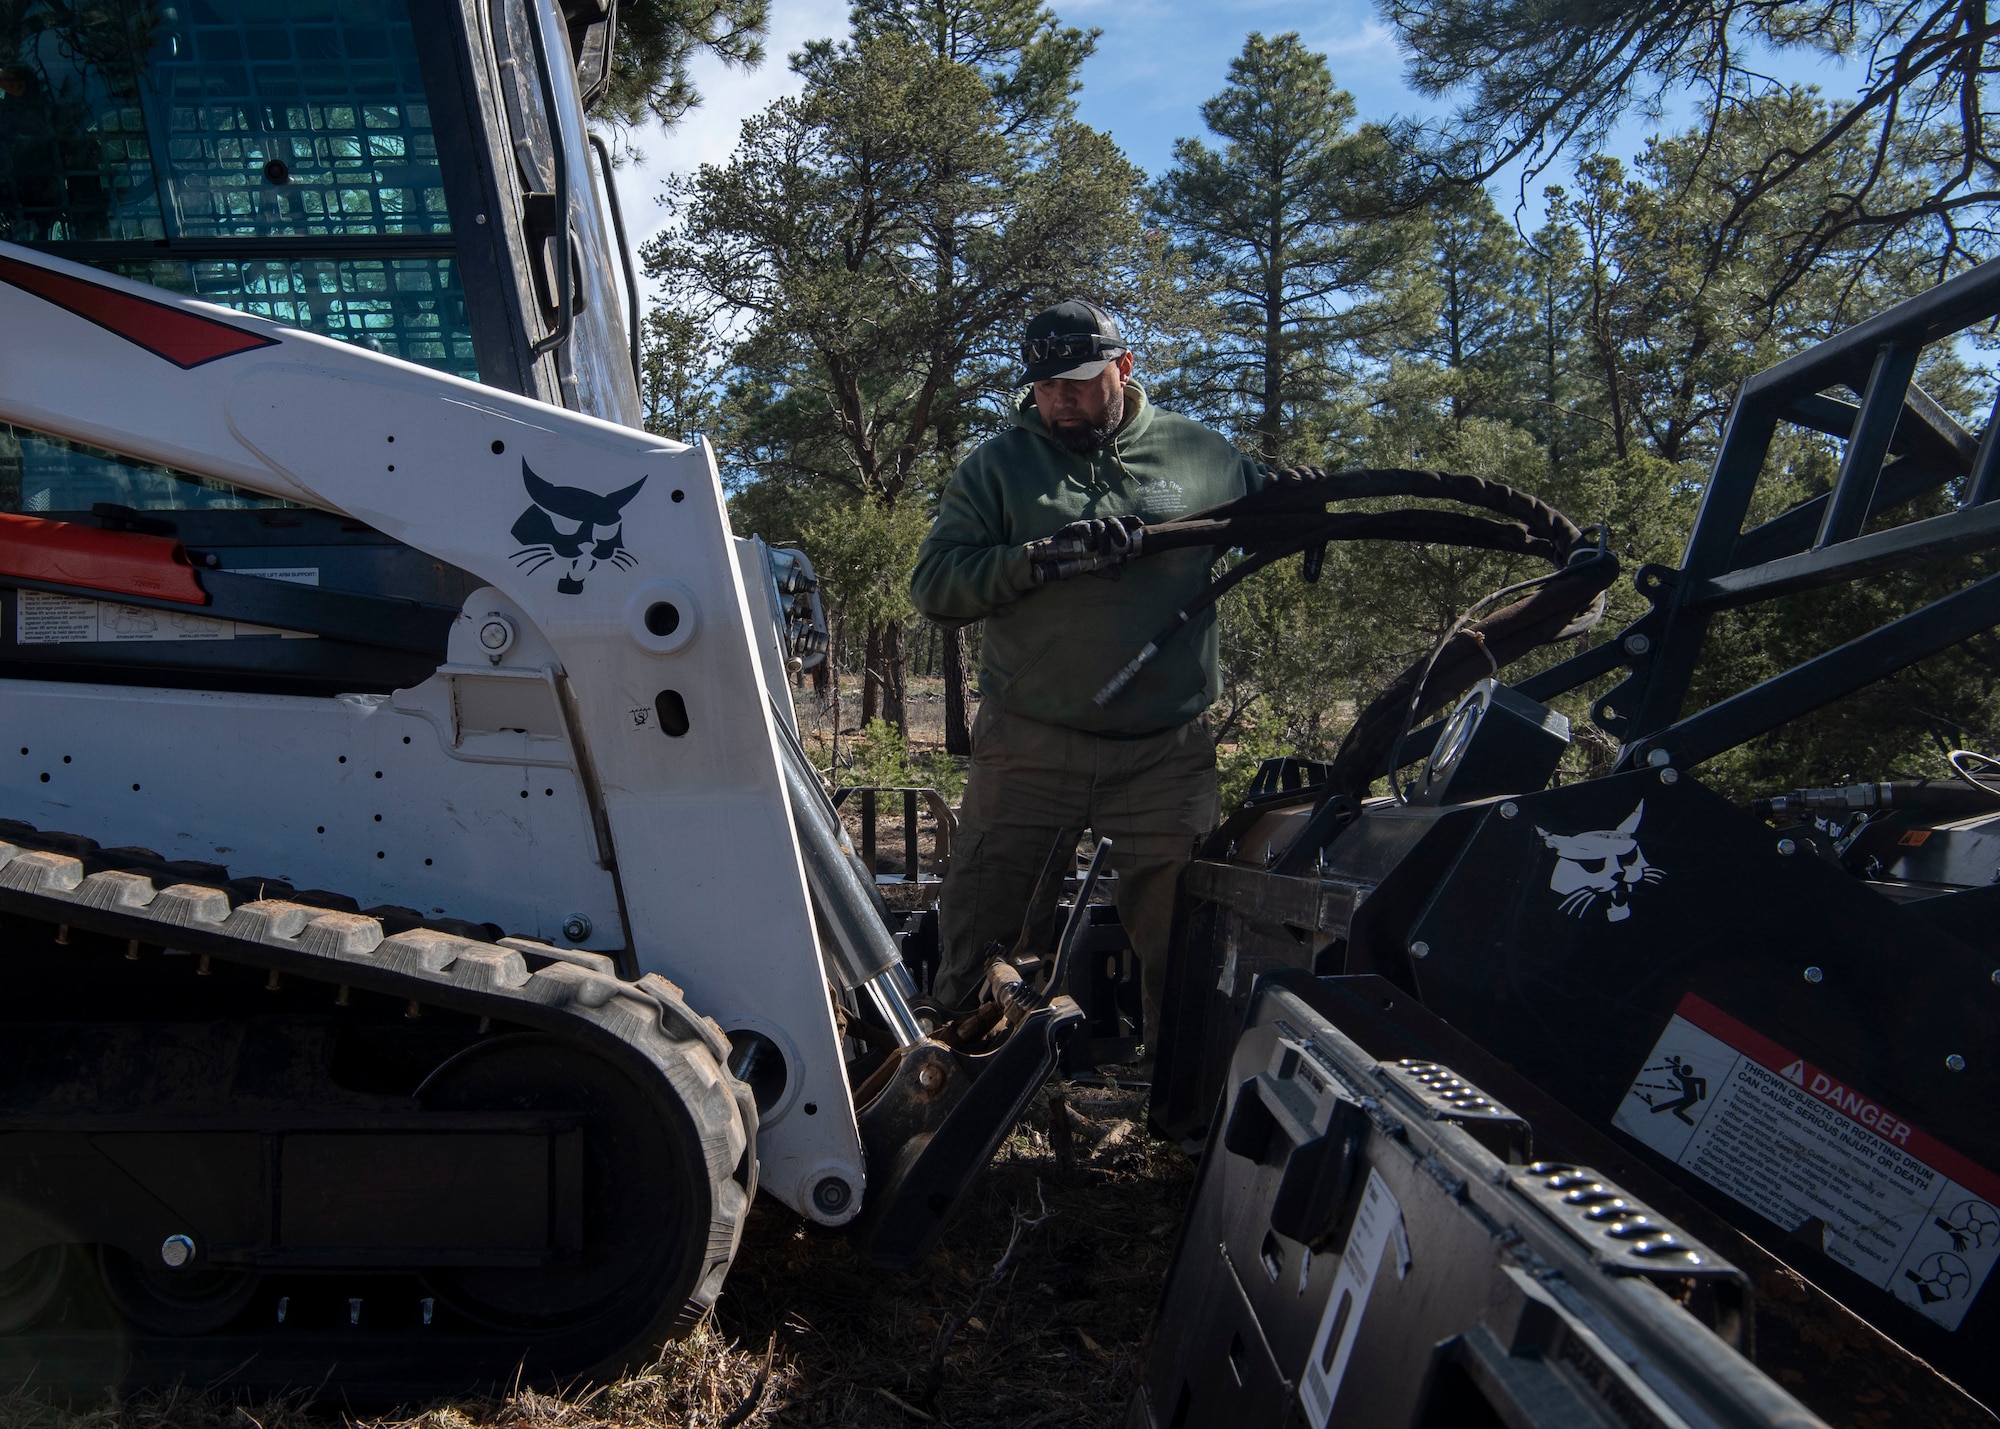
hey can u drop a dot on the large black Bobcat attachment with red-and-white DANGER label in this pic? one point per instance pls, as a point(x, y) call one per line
point(1769, 1026)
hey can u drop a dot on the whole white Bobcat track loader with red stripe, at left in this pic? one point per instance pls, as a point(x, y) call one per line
point(423, 930)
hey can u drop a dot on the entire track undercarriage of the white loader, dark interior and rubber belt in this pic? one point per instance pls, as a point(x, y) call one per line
point(261, 1138)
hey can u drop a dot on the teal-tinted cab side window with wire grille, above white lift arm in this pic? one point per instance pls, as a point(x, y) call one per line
point(273, 157)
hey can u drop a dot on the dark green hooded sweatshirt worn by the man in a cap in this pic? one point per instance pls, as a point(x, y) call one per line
point(1049, 649)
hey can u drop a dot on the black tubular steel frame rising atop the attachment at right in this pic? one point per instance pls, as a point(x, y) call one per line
point(1899, 445)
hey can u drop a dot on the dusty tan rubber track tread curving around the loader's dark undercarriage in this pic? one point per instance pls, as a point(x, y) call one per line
point(573, 996)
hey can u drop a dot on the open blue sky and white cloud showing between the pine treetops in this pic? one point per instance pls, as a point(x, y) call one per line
point(1157, 61)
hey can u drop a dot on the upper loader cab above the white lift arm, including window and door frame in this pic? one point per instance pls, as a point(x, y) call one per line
point(385, 173)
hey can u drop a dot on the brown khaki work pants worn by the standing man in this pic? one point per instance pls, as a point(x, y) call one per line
point(1153, 798)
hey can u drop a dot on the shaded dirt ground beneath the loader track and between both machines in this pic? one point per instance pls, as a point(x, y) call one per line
point(1033, 1314)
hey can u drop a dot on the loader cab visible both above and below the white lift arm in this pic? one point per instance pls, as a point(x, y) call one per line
point(385, 173)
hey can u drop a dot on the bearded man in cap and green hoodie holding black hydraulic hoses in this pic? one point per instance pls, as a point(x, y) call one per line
point(1035, 535)
